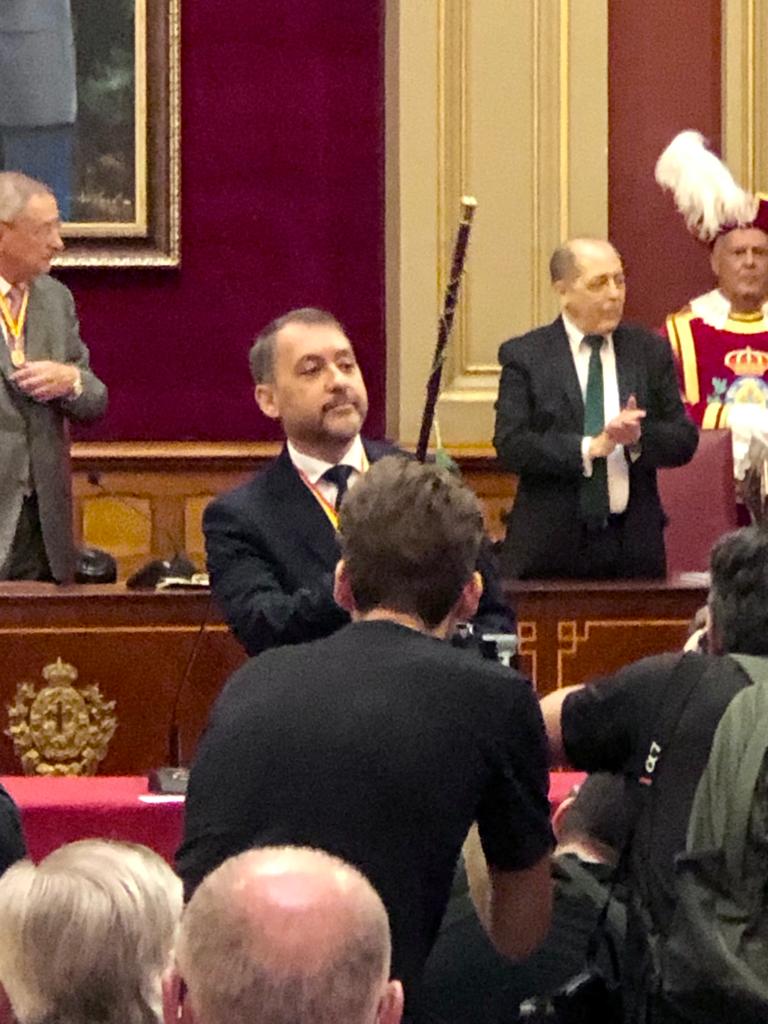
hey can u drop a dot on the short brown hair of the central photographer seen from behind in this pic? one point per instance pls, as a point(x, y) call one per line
point(410, 537)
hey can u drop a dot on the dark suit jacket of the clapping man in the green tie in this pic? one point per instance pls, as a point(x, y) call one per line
point(539, 430)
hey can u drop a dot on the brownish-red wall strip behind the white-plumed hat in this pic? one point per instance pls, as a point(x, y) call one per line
point(664, 77)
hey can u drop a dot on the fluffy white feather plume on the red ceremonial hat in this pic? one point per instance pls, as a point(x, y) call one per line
point(704, 188)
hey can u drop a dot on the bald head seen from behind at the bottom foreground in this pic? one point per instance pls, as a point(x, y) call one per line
point(286, 934)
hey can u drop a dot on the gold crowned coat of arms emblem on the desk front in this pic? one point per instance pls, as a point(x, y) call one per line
point(61, 730)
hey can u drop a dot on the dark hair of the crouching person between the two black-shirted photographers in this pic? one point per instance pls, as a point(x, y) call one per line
point(600, 815)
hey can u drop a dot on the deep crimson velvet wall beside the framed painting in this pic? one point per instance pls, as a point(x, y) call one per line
point(283, 205)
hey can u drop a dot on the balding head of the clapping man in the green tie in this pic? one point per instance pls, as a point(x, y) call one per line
point(588, 276)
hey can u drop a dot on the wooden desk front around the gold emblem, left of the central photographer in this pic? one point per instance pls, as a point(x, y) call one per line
point(135, 646)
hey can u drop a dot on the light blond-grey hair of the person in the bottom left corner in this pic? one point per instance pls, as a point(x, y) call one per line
point(88, 933)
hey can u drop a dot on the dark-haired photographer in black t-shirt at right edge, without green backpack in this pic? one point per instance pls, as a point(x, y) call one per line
point(609, 727)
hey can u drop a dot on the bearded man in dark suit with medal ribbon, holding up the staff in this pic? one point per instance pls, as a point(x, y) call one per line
point(272, 543)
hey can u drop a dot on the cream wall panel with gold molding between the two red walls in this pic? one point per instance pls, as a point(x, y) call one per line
point(506, 102)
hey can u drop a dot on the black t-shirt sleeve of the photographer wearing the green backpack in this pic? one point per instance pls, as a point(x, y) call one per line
point(604, 722)
